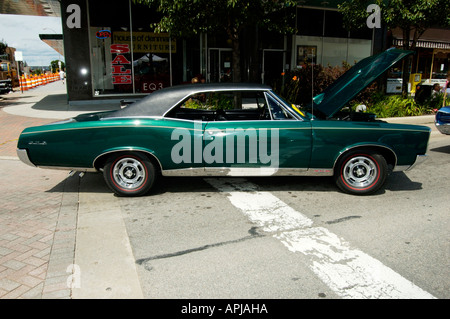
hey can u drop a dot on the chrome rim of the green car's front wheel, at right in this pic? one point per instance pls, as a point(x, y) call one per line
point(360, 172)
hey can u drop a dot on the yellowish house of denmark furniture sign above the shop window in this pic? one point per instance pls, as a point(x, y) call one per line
point(144, 42)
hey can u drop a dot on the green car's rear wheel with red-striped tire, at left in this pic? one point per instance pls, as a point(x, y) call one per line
point(129, 174)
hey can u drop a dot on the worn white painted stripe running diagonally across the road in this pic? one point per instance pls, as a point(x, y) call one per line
point(349, 272)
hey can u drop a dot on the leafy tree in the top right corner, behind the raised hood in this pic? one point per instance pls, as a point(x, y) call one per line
point(413, 17)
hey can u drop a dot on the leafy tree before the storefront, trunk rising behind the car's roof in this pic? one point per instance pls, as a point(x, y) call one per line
point(184, 18)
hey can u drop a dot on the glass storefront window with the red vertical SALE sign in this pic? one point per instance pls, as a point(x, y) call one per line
point(127, 58)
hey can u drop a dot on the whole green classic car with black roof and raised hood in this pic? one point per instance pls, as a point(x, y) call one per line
point(234, 130)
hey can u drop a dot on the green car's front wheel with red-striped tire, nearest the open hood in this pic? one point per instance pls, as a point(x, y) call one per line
point(361, 172)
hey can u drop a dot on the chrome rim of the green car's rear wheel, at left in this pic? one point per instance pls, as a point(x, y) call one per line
point(129, 173)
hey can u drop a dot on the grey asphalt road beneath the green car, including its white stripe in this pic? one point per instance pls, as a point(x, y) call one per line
point(291, 238)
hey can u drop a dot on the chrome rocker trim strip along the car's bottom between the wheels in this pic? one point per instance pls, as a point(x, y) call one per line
point(247, 171)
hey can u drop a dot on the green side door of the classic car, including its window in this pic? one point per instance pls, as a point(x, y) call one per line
point(273, 143)
